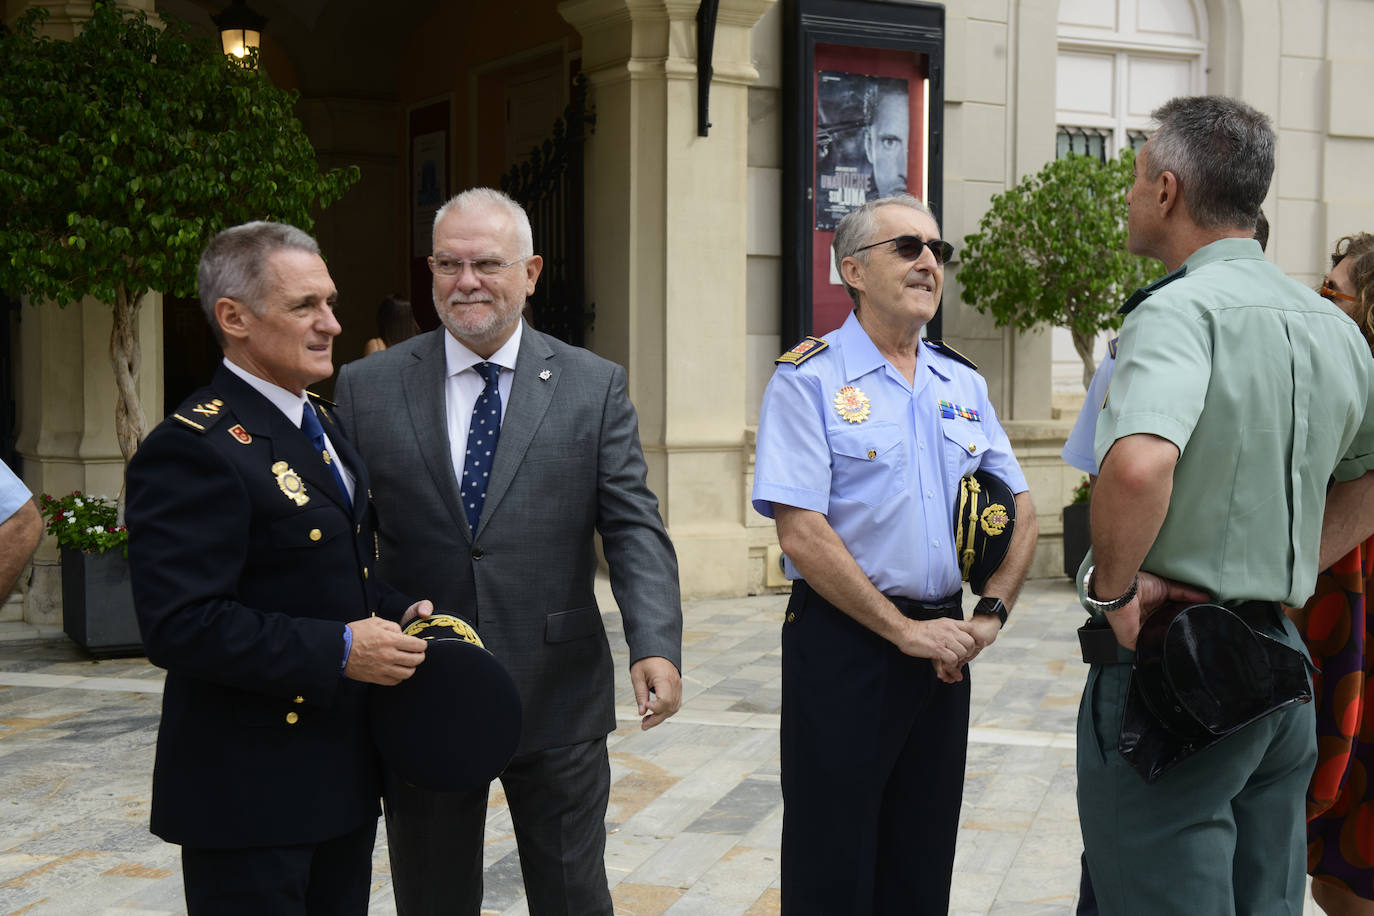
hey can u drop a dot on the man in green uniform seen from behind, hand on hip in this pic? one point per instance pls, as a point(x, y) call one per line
point(1239, 395)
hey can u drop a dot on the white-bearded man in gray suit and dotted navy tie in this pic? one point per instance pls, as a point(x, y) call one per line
point(497, 453)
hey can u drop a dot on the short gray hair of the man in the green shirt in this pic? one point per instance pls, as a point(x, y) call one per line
point(1222, 153)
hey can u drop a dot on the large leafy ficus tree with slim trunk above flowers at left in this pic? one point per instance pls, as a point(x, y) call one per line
point(123, 153)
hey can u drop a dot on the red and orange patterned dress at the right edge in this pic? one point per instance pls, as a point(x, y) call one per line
point(1340, 800)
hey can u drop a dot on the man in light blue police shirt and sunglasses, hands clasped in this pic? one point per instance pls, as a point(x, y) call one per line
point(864, 437)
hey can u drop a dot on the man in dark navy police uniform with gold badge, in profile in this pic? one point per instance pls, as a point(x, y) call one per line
point(249, 551)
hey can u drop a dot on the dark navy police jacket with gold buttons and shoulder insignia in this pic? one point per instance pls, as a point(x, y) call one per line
point(247, 564)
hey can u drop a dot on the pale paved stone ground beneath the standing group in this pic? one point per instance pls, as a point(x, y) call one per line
point(696, 811)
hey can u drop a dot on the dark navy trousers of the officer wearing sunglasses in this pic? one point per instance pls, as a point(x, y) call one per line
point(873, 756)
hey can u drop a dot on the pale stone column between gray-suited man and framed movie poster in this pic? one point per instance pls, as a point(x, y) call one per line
point(667, 241)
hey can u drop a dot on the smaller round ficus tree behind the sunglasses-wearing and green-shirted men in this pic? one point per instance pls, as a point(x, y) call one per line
point(1052, 251)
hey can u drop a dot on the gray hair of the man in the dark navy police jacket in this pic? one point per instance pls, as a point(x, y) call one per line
point(233, 266)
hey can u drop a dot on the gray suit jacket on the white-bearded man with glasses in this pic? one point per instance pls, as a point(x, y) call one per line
point(568, 465)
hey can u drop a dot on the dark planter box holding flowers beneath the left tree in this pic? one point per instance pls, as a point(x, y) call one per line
point(98, 604)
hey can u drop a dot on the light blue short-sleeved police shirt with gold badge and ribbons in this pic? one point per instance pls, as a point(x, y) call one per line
point(887, 484)
